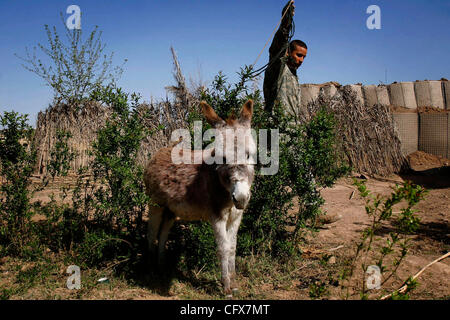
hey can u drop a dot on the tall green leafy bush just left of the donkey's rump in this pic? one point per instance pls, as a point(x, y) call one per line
point(113, 201)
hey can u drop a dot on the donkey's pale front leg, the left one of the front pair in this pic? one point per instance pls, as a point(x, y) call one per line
point(219, 226)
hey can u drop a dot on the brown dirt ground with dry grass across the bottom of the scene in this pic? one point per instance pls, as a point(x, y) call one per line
point(323, 256)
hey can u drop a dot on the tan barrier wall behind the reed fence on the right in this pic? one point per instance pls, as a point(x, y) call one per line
point(417, 131)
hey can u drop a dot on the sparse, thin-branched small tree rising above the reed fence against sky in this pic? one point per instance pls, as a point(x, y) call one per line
point(75, 67)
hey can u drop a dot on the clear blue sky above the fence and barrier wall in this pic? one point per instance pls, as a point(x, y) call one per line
point(224, 35)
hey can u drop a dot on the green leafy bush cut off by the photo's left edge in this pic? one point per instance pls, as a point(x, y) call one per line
point(17, 160)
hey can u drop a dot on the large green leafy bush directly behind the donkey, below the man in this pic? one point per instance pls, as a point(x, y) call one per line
point(307, 162)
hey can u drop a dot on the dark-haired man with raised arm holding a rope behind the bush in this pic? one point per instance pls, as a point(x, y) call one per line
point(280, 79)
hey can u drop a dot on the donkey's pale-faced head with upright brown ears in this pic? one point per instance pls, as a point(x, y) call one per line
point(234, 152)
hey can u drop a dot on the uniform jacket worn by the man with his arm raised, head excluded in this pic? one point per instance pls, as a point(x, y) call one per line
point(281, 83)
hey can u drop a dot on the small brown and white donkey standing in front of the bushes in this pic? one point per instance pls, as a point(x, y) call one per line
point(214, 191)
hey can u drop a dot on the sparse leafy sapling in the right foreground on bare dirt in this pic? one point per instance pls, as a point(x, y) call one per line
point(380, 211)
